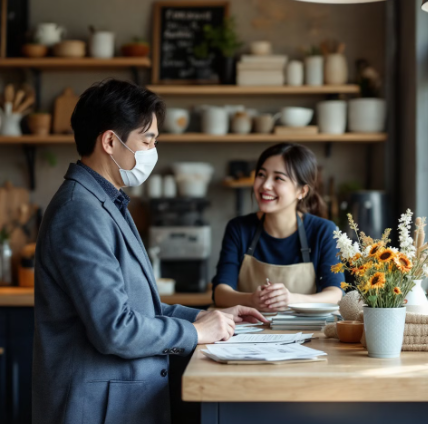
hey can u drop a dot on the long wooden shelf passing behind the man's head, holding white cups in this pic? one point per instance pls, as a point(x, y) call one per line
point(207, 138)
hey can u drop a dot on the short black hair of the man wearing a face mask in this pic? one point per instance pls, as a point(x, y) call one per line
point(115, 105)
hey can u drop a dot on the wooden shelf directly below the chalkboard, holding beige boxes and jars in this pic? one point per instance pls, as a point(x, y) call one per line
point(197, 90)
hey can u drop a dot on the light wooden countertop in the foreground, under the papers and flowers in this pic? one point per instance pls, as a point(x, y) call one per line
point(348, 375)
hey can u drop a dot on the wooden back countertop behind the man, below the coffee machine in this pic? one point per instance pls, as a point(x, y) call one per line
point(23, 296)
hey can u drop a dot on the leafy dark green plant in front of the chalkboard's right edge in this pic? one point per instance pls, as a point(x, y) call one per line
point(223, 40)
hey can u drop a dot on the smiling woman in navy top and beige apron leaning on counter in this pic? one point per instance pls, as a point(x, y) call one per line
point(283, 253)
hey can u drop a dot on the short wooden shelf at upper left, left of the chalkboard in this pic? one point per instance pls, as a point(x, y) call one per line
point(67, 63)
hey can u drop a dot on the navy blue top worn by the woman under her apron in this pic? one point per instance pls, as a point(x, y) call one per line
point(285, 251)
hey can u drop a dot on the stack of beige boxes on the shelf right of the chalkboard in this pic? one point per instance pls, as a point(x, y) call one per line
point(261, 70)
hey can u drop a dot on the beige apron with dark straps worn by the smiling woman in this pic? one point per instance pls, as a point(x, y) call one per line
point(298, 278)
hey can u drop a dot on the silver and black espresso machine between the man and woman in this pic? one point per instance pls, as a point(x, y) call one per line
point(184, 240)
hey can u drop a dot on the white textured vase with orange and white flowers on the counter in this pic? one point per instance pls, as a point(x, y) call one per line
point(383, 277)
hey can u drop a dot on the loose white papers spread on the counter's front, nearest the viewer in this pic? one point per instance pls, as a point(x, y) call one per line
point(261, 353)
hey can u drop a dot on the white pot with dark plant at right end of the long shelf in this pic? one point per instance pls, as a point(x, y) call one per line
point(368, 113)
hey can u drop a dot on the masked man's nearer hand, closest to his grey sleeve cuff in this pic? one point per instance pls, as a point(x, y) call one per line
point(214, 326)
